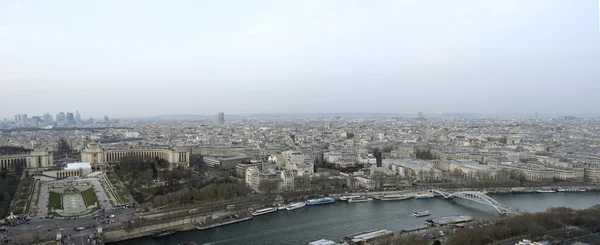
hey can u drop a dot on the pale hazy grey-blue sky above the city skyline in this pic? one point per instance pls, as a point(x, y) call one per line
point(139, 58)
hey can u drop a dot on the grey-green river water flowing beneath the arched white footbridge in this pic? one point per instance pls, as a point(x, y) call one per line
point(334, 221)
